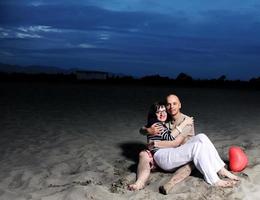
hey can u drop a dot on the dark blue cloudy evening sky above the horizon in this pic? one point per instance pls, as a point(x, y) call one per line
point(203, 38)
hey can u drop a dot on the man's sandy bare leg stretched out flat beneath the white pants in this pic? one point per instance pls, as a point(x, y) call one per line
point(179, 175)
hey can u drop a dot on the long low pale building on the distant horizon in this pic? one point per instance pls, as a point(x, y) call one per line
point(91, 75)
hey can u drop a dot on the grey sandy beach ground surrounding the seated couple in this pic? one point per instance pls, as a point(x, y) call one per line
point(79, 141)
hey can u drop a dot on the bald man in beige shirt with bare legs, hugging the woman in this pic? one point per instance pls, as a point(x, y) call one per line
point(145, 159)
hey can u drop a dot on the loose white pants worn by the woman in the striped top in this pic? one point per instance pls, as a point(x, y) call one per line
point(198, 149)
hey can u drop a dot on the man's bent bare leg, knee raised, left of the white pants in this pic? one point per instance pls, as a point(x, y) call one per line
point(143, 171)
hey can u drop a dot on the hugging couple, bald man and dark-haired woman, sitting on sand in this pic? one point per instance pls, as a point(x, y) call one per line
point(172, 144)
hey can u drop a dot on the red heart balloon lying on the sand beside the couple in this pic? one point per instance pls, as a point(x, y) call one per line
point(237, 159)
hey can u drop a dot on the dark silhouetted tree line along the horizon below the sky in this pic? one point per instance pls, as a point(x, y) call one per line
point(156, 80)
